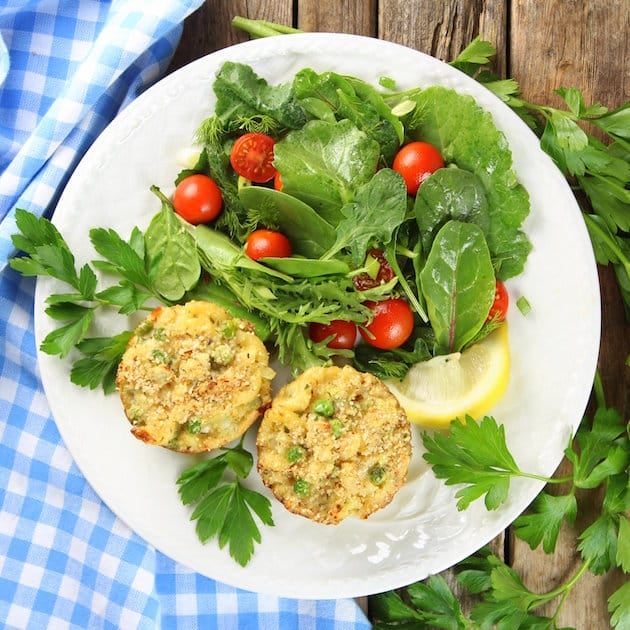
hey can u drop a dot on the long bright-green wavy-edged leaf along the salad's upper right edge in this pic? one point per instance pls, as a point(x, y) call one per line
point(466, 136)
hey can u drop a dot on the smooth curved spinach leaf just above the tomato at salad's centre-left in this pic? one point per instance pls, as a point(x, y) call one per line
point(310, 235)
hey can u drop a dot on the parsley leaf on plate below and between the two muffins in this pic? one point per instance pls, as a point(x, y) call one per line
point(224, 508)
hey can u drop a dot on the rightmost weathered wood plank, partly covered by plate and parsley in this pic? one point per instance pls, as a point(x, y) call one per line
point(583, 44)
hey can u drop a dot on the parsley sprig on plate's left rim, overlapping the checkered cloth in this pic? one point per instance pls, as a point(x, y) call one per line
point(48, 254)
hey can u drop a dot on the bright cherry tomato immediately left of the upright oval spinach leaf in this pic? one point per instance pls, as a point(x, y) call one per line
point(391, 325)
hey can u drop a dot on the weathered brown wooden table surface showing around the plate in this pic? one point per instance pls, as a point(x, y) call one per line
point(544, 45)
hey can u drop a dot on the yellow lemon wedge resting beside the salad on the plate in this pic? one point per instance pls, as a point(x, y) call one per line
point(436, 391)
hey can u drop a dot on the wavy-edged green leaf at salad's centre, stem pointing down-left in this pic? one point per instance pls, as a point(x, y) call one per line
point(379, 208)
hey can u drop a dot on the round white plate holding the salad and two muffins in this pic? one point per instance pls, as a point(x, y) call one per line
point(554, 348)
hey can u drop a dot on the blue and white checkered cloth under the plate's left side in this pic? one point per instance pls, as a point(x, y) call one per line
point(66, 68)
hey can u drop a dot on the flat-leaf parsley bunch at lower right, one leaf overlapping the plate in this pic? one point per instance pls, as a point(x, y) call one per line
point(476, 457)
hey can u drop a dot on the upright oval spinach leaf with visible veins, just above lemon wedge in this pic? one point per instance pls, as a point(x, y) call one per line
point(458, 284)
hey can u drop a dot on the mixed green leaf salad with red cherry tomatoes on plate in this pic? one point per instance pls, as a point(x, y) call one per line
point(326, 209)
